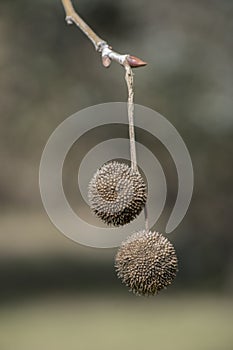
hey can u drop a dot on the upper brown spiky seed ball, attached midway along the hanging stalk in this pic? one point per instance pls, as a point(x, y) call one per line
point(117, 193)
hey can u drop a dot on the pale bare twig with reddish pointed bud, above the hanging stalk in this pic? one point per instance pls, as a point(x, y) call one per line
point(100, 45)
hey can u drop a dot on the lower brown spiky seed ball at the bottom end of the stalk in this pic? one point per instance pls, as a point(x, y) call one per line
point(146, 263)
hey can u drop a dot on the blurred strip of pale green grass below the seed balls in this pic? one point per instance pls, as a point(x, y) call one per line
point(184, 323)
